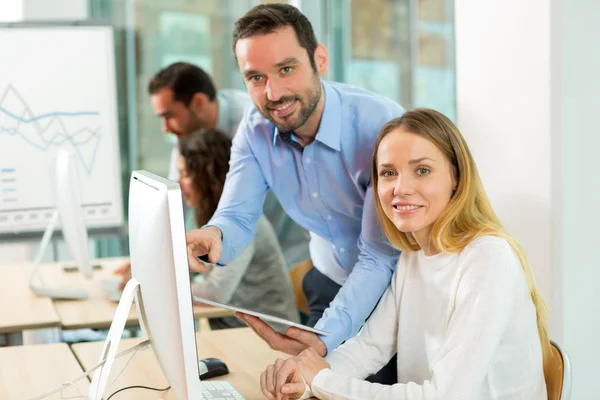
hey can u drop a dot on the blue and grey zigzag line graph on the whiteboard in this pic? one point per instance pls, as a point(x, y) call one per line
point(55, 121)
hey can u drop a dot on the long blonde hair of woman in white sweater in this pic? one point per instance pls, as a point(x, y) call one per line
point(468, 215)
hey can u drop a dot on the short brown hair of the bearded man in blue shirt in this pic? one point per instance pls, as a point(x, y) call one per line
point(267, 18)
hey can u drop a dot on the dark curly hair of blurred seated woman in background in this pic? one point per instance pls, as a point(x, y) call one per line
point(206, 153)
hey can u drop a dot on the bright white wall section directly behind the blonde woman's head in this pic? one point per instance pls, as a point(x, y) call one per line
point(503, 109)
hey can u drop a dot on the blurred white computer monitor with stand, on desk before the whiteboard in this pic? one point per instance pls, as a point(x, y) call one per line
point(69, 214)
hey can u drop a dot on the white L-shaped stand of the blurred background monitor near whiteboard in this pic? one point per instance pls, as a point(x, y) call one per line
point(41, 289)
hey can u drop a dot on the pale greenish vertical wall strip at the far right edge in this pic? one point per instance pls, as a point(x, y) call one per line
point(576, 105)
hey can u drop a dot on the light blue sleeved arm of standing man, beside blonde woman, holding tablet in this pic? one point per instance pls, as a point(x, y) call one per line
point(364, 287)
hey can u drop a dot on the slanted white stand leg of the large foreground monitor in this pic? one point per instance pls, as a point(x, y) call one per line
point(111, 344)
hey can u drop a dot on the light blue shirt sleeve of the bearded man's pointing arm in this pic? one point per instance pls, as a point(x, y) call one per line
point(241, 203)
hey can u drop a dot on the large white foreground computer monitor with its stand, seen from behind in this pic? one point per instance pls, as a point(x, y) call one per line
point(161, 280)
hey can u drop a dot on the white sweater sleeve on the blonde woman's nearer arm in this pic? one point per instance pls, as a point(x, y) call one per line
point(484, 300)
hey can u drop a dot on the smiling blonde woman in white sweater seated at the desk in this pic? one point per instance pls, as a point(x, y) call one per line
point(463, 311)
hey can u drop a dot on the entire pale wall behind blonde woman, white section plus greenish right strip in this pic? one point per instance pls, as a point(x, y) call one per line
point(528, 87)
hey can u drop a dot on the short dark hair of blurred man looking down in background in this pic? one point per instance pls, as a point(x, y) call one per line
point(185, 80)
